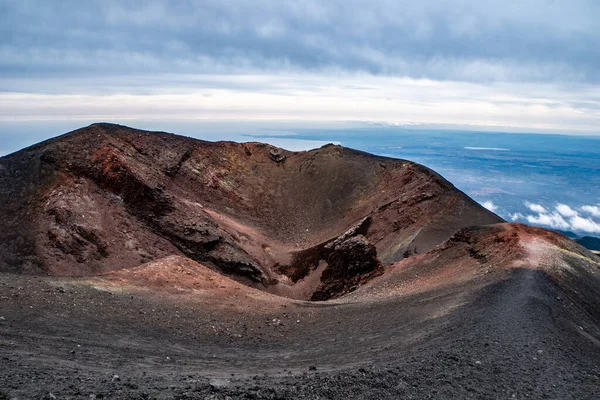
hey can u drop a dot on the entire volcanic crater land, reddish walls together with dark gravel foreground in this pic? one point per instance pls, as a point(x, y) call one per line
point(495, 311)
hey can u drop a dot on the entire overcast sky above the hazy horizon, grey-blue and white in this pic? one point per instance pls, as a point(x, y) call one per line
point(520, 65)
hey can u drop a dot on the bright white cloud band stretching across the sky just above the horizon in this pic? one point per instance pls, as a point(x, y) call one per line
point(289, 96)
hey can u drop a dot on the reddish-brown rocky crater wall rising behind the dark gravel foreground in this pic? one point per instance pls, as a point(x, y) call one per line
point(108, 197)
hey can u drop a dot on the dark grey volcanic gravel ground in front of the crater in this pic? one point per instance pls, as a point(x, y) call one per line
point(514, 335)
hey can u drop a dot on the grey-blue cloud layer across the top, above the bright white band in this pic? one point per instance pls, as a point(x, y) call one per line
point(441, 40)
